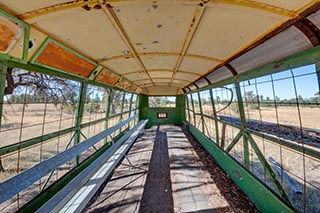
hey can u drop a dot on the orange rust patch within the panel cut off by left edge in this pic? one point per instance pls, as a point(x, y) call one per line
point(8, 32)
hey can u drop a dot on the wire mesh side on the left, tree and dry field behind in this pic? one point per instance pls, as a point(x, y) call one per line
point(43, 115)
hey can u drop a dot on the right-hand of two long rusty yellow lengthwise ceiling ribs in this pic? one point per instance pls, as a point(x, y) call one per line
point(192, 29)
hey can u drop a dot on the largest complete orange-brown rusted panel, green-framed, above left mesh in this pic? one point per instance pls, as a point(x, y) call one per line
point(57, 57)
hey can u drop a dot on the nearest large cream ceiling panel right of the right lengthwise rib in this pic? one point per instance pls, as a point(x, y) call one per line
point(225, 29)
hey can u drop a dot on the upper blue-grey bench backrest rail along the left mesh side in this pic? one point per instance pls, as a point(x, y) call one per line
point(26, 178)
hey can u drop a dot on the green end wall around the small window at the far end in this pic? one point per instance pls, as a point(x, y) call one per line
point(175, 115)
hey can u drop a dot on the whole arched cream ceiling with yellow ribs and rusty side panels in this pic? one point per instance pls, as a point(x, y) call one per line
point(157, 45)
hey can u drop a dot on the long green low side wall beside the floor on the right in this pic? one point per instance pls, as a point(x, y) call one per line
point(265, 200)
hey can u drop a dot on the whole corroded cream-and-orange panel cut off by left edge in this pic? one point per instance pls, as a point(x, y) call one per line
point(10, 33)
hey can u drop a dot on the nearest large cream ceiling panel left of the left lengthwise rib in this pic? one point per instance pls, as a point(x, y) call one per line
point(89, 32)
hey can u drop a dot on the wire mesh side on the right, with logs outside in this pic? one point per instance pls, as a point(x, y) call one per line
point(279, 132)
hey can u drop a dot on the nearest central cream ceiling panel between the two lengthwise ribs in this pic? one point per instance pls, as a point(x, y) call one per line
point(167, 25)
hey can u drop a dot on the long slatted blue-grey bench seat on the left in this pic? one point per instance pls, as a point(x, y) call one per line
point(94, 175)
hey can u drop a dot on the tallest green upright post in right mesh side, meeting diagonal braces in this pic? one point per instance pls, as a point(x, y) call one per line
point(243, 126)
